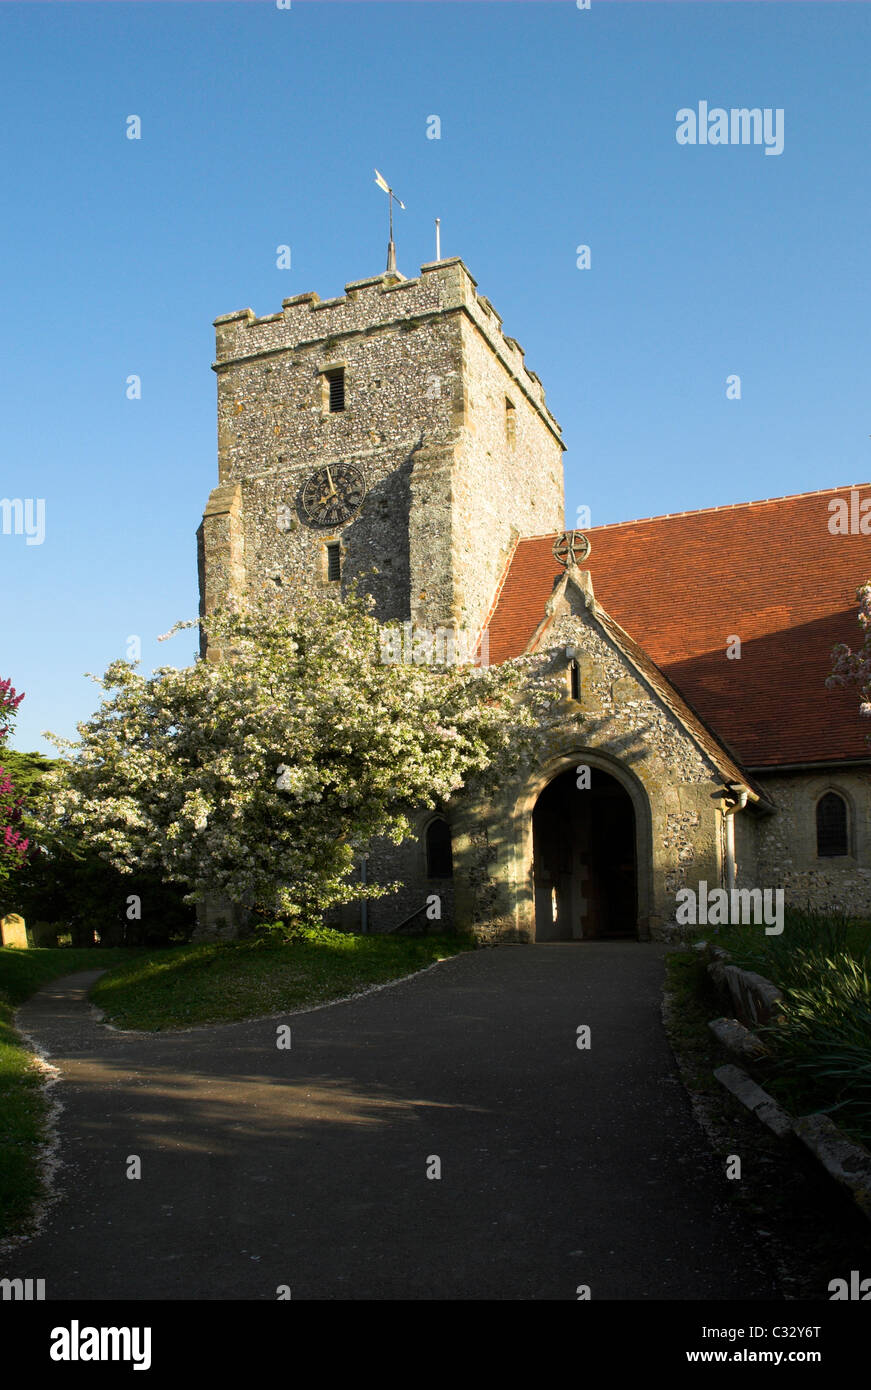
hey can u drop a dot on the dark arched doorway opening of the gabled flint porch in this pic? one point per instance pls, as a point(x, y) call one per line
point(586, 868)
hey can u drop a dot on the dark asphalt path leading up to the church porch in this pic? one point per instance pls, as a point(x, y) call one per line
point(308, 1168)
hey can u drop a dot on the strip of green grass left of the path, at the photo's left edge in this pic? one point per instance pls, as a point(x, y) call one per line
point(23, 1104)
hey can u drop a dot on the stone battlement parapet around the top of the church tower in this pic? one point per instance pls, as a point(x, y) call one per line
point(380, 302)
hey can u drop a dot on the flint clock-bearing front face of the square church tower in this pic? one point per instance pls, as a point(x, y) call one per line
point(274, 433)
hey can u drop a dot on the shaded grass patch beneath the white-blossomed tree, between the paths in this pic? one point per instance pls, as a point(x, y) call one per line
point(220, 983)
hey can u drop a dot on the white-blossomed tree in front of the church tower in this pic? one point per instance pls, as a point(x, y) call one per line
point(262, 775)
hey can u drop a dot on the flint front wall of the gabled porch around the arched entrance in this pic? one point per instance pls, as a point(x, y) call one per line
point(623, 722)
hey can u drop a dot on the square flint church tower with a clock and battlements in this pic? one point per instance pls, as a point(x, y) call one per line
point(394, 436)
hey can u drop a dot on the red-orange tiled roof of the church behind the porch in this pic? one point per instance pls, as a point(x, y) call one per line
point(683, 584)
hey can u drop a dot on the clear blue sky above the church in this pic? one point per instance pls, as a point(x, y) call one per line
point(260, 127)
